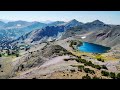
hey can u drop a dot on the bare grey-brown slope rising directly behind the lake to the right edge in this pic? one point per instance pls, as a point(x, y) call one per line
point(108, 37)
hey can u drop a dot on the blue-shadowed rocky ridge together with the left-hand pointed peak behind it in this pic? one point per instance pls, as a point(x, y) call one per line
point(53, 31)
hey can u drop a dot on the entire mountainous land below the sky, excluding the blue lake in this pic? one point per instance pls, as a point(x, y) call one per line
point(44, 50)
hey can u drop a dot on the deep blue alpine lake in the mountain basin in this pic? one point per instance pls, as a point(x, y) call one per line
point(93, 48)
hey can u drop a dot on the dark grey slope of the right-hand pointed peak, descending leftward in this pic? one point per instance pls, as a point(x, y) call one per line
point(85, 28)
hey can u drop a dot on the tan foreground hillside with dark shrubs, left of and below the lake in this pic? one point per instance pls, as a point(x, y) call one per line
point(59, 61)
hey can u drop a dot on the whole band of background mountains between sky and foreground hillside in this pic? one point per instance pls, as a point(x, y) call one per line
point(34, 32)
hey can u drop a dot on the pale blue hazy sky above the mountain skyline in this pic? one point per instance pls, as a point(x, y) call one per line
point(109, 17)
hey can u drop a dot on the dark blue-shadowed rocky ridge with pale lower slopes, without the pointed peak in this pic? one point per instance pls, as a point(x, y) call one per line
point(43, 35)
